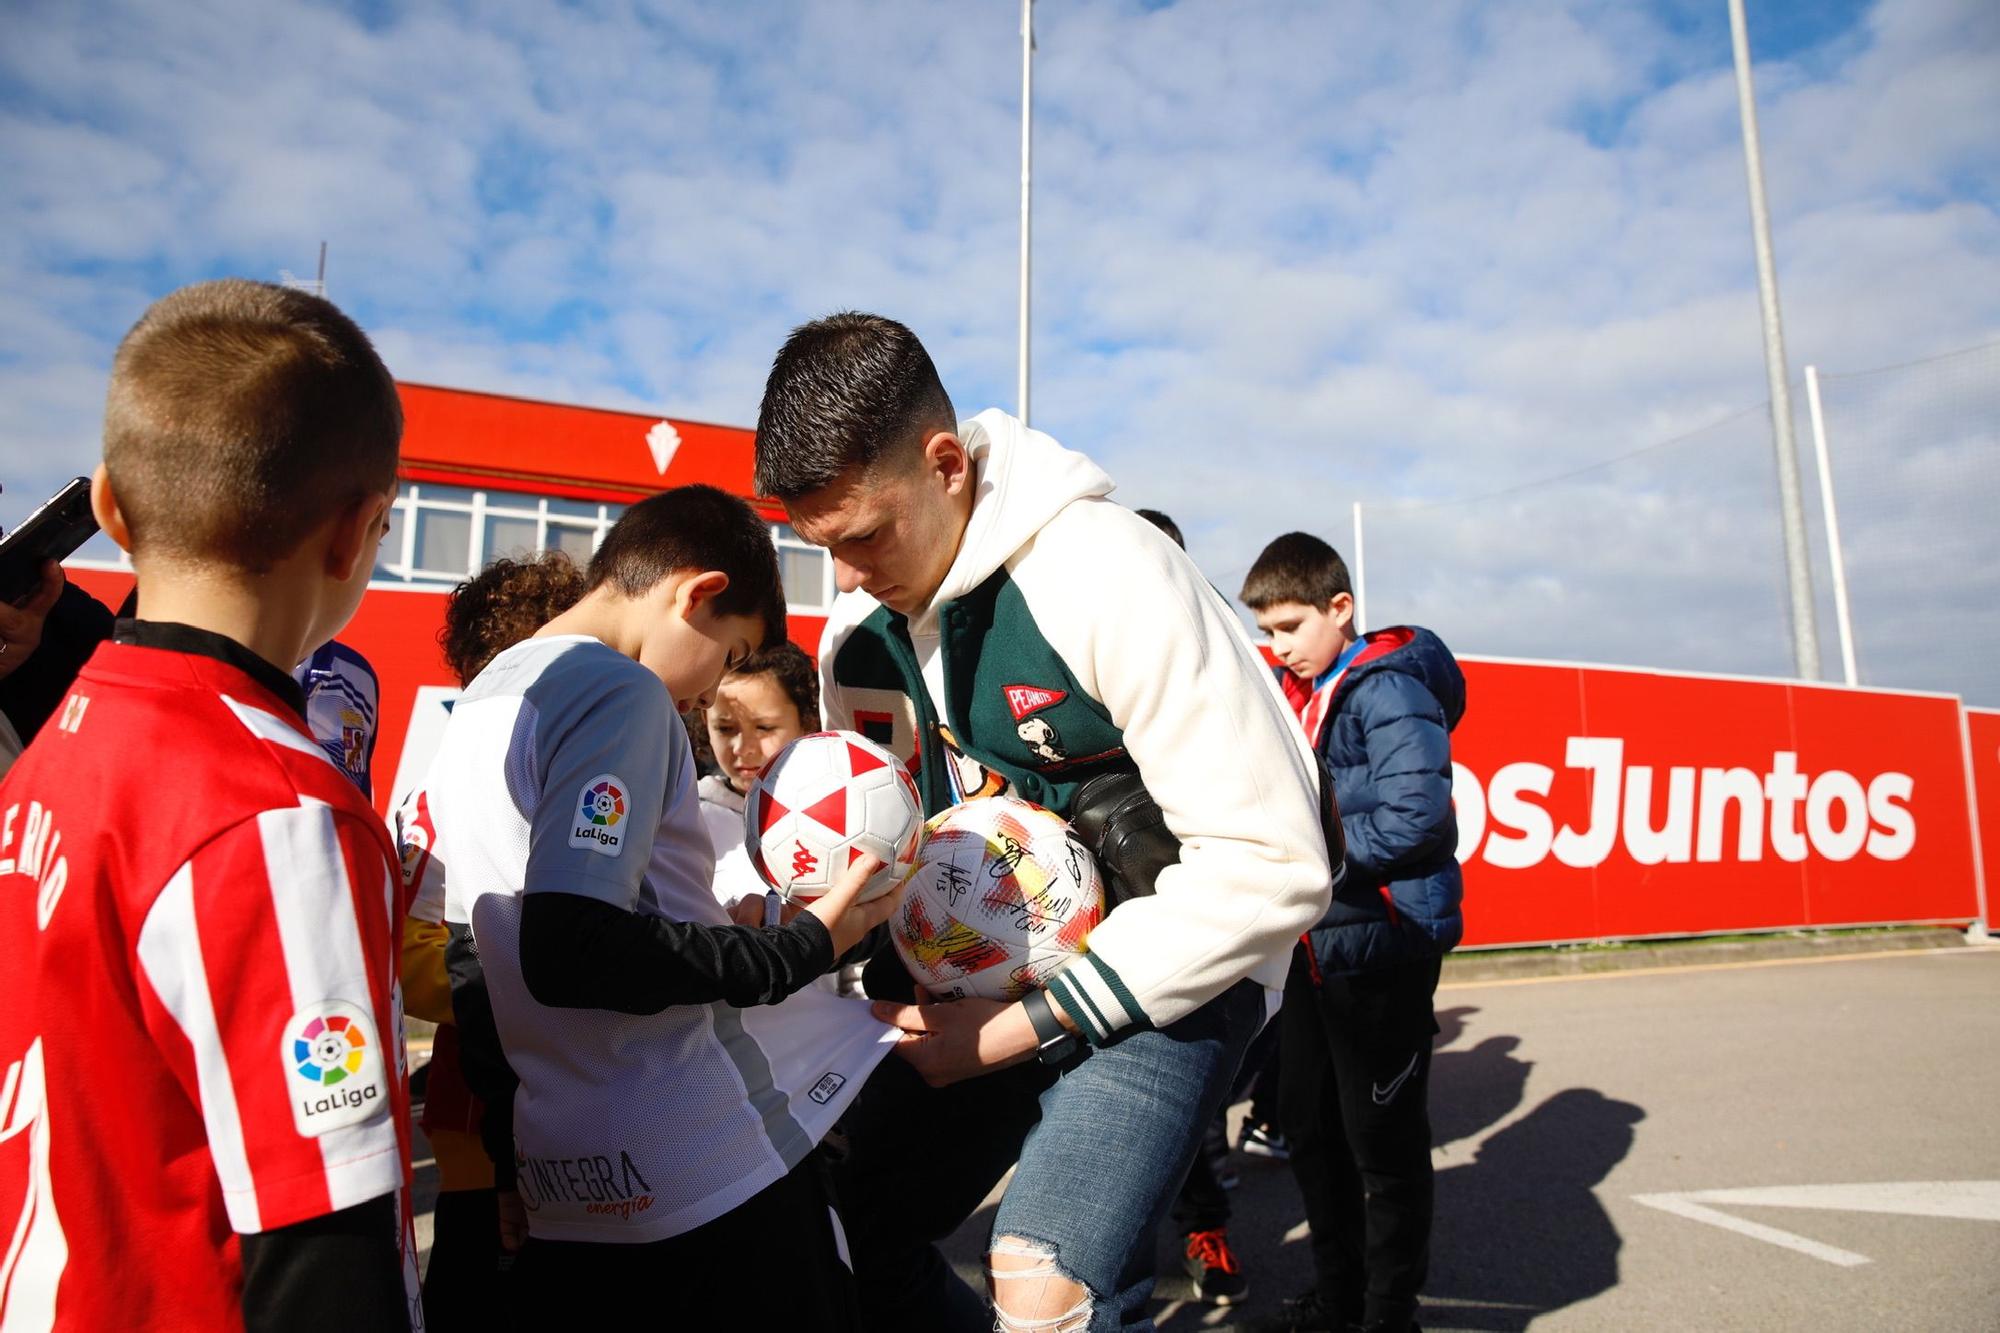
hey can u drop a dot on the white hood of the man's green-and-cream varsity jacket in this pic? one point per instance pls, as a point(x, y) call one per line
point(1023, 481)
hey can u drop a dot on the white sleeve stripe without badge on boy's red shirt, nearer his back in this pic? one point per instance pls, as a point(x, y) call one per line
point(171, 956)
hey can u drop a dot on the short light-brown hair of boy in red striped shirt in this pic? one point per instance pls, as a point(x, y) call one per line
point(241, 417)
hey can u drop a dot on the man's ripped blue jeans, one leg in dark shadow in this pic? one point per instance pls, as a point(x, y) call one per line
point(1103, 1152)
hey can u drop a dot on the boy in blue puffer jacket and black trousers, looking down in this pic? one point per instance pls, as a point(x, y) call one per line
point(1357, 1024)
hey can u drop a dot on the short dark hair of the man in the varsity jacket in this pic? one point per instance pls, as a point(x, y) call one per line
point(845, 391)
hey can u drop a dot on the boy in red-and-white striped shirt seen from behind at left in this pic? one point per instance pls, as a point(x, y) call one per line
point(201, 1032)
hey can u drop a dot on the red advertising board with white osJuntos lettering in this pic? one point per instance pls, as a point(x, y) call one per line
point(1623, 804)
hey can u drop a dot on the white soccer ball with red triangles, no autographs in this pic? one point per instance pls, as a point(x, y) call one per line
point(827, 802)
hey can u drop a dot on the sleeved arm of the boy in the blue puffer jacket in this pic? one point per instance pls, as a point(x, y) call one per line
point(1409, 770)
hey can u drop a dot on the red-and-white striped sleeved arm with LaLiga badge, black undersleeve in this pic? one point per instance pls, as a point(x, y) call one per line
point(265, 964)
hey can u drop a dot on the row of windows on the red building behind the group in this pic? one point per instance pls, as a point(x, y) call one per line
point(441, 535)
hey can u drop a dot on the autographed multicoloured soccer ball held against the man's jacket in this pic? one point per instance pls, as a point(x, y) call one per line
point(1001, 900)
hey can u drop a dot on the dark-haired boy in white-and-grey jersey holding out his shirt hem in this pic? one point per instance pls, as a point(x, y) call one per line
point(669, 1108)
